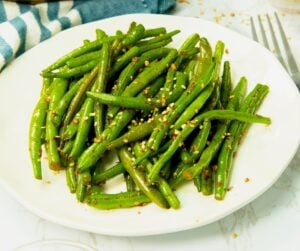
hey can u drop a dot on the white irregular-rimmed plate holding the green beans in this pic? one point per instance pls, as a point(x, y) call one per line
point(263, 156)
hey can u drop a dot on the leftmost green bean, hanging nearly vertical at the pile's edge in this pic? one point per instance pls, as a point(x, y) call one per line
point(37, 123)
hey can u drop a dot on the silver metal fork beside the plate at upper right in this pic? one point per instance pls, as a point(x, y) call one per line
point(291, 65)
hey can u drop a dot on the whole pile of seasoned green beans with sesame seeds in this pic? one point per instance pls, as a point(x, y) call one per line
point(170, 115)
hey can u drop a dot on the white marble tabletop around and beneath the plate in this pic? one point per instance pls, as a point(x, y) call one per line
point(271, 222)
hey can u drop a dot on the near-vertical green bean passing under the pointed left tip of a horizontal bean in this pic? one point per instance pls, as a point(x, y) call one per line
point(100, 85)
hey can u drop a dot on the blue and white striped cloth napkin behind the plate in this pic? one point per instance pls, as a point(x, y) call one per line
point(23, 26)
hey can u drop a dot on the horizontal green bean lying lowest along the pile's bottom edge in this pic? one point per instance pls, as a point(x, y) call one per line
point(116, 201)
